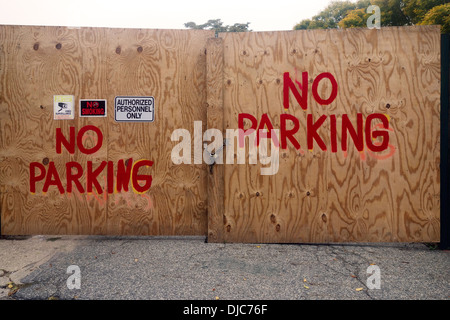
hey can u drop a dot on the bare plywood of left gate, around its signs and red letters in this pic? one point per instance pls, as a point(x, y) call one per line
point(39, 62)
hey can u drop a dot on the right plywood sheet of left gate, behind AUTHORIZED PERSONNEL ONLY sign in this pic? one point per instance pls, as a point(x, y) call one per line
point(170, 66)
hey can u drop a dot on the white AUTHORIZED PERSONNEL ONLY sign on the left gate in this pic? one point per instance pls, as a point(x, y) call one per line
point(134, 109)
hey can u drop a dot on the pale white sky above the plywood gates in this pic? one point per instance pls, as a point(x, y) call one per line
point(263, 15)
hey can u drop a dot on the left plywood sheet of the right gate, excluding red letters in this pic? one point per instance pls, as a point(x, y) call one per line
point(271, 208)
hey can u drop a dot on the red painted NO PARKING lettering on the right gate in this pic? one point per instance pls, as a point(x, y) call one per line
point(373, 131)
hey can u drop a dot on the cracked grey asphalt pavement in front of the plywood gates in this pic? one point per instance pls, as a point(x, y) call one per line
point(176, 268)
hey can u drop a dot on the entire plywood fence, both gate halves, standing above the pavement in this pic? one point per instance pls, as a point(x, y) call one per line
point(321, 190)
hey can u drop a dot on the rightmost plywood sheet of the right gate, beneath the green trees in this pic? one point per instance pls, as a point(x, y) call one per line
point(388, 196)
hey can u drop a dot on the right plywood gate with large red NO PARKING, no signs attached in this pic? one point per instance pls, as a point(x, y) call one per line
point(358, 117)
